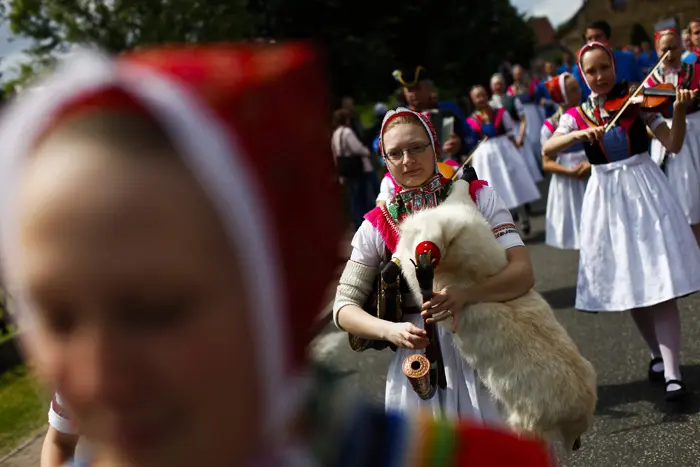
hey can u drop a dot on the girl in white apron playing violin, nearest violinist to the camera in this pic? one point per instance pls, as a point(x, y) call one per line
point(637, 251)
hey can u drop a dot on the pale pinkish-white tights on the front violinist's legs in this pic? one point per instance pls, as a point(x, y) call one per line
point(660, 327)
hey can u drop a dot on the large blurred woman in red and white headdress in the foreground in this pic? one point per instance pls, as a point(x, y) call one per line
point(163, 278)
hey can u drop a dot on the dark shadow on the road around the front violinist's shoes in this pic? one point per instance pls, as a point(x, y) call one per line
point(614, 400)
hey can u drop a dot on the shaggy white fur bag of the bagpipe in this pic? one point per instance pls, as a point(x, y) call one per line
point(522, 354)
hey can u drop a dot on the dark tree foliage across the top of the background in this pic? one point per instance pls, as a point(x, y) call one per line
point(459, 42)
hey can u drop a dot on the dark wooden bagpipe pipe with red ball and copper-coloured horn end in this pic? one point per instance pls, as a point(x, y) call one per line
point(426, 372)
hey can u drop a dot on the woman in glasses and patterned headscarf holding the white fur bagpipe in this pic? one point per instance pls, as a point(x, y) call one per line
point(411, 150)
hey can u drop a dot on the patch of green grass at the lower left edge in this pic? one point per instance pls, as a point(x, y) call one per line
point(23, 408)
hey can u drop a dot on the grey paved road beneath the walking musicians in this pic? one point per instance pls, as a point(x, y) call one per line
point(634, 427)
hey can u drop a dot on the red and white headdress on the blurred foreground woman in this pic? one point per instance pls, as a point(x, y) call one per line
point(218, 104)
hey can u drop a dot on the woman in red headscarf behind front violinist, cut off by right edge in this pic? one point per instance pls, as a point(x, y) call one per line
point(682, 168)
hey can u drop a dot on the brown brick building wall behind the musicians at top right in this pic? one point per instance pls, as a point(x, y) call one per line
point(622, 14)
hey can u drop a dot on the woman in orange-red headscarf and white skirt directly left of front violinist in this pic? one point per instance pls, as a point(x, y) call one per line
point(570, 171)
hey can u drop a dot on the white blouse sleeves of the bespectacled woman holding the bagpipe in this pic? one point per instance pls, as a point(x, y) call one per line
point(368, 247)
